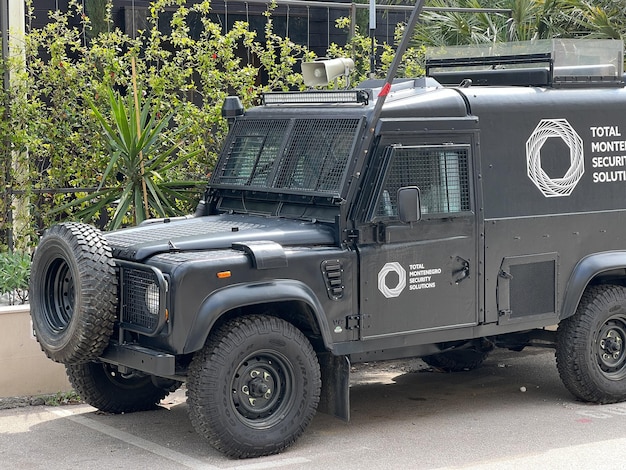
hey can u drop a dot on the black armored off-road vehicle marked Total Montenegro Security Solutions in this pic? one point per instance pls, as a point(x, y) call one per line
point(473, 209)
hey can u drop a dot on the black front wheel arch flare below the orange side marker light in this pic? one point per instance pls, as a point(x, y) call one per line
point(284, 296)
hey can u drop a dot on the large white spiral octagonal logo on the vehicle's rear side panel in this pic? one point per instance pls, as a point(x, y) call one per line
point(561, 129)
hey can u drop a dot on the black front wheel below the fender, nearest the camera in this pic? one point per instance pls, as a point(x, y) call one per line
point(254, 387)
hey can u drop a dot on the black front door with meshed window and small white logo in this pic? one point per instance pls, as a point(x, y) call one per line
point(421, 277)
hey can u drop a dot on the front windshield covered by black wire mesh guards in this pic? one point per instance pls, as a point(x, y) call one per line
point(287, 155)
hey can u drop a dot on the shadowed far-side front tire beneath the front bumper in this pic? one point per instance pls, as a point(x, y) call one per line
point(104, 388)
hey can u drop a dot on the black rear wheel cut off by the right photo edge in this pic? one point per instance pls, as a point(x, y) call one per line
point(591, 346)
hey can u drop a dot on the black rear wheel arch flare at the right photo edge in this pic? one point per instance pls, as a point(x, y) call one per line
point(592, 269)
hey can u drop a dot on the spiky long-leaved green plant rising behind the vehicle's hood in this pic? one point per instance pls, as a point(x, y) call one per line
point(132, 181)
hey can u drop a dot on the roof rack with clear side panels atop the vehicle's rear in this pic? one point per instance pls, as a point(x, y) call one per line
point(551, 62)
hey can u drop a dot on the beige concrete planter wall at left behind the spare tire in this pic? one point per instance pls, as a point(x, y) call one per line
point(24, 368)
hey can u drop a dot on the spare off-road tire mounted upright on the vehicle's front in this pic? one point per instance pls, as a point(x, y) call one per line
point(73, 293)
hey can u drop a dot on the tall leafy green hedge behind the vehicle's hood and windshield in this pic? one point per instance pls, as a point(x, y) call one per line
point(59, 154)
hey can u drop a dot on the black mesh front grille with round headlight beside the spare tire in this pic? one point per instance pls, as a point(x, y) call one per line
point(142, 297)
